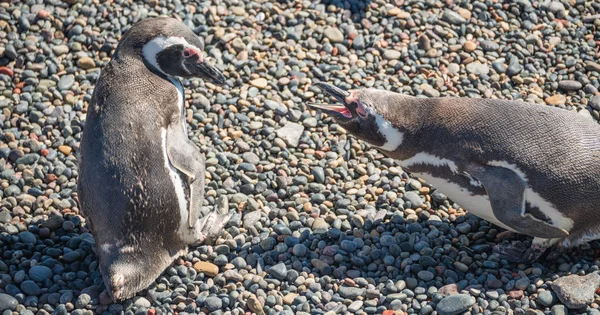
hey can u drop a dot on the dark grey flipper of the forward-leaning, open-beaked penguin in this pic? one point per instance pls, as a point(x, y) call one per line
point(506, 191)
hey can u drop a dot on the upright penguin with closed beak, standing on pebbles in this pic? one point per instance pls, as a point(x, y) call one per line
point(141, 183)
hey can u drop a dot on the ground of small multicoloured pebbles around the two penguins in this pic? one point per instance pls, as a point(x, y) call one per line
point(324, 224)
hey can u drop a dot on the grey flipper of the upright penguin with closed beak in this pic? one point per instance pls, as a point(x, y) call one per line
point(187, 159)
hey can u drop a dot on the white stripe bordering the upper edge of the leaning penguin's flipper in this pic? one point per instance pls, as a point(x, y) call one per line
point(557, 218)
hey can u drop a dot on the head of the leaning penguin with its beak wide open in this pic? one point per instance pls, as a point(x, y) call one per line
point(359, 112)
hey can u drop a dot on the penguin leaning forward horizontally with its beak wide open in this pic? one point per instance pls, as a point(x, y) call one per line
point(530, 169)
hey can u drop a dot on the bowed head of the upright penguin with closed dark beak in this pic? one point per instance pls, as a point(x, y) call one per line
point(169, 48)
